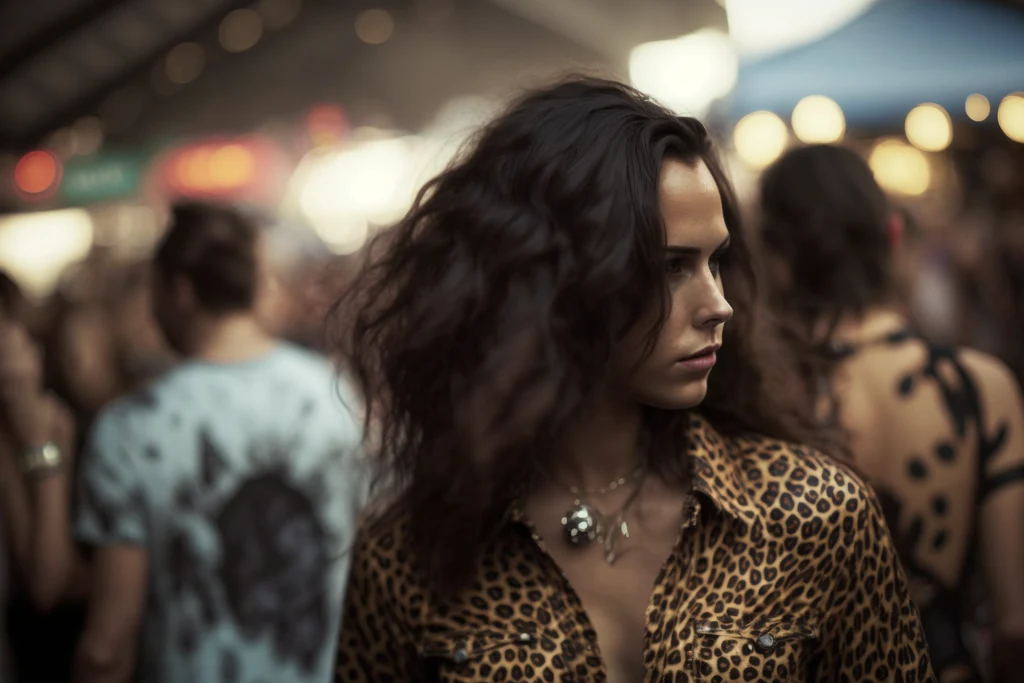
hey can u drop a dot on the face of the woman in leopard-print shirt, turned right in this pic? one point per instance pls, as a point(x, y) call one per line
point(675, 375)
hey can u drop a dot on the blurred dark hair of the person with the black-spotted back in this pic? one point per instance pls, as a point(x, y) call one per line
point(827, 220)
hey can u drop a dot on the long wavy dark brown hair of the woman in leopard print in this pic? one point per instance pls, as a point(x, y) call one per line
point(482, 323)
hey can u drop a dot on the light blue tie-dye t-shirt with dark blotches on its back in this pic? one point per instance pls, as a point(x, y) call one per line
point(243, 483)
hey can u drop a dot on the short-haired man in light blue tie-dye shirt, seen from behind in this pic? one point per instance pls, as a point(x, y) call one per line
point(219, 501)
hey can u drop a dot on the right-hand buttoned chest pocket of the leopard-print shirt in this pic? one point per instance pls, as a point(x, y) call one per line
point(779, 650)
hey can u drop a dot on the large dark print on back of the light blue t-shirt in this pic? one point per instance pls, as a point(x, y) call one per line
point(271, 576)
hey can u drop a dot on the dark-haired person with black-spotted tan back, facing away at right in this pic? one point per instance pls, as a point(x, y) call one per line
point(938, 432)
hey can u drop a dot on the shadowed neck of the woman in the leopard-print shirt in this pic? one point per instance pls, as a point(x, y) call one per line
point(603, 445)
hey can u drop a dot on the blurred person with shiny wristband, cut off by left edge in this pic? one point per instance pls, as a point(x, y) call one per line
point(46, 616)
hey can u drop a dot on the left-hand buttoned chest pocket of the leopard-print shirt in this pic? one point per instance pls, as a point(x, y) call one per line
point(478, 656)
